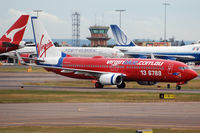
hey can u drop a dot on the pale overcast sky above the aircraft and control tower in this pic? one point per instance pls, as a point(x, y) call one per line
point(143, 19)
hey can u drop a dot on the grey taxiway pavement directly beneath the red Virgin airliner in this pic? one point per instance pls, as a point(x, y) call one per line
point(14, 80)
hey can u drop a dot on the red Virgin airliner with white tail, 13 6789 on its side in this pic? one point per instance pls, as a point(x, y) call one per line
point(107, 71)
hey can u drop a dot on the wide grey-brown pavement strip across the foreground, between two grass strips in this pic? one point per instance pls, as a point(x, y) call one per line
point(133, 115)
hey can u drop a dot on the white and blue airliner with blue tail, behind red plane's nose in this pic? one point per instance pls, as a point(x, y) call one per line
point(188, 53)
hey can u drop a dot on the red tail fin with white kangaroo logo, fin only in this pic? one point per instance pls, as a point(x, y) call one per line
point(15, 33)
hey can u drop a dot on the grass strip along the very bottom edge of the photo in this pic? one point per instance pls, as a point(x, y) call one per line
point(75, 129)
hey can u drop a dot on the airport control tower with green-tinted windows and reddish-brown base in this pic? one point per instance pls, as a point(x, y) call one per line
point(99, 36)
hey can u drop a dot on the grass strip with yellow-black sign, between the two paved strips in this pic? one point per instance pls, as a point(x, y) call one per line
point(46, 96)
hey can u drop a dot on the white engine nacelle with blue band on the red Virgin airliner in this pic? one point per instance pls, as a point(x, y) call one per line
point(111, 79)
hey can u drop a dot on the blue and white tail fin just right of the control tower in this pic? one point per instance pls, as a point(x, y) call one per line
point(120, 38)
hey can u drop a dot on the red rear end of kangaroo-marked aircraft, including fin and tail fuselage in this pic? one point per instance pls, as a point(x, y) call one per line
point(12, 39)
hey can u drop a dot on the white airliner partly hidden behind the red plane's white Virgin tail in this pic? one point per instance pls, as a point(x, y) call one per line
point(29, 52)
